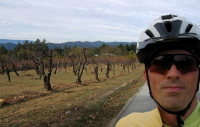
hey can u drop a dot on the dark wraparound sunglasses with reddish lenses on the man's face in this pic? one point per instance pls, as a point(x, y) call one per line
point(185, 63)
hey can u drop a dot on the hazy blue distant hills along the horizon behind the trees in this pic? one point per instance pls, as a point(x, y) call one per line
point(10, 44)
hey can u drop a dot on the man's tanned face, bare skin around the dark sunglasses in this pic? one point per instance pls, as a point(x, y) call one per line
point(173, 89)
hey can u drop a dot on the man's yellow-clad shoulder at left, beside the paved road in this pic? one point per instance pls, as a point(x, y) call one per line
point(146, 119)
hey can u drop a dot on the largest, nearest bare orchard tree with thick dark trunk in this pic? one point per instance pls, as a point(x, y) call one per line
point(38, 52)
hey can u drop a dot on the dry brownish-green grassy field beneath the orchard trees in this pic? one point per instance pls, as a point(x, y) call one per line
point(69, 104)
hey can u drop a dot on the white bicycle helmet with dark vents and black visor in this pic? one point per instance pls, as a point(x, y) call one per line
point(168, 32)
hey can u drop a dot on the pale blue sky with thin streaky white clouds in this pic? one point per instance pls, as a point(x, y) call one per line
point(60, 21)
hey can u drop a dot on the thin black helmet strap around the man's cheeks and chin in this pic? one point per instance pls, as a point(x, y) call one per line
point(178, 113)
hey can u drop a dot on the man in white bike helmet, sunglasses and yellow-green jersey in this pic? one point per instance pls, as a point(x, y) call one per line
point(170, 50)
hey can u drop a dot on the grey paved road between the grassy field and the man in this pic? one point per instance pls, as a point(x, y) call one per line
point(141, 102)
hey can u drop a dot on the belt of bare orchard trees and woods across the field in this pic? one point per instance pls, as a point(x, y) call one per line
point(37, 55)
